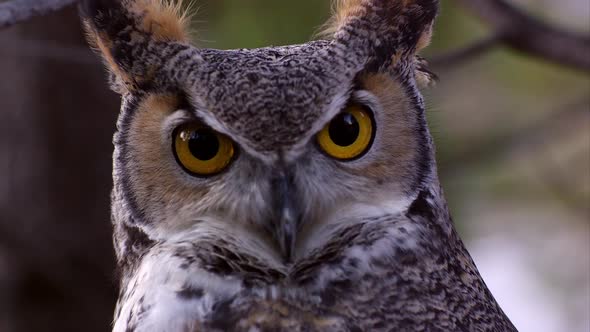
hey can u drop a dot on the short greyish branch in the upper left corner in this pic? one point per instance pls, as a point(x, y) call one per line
point(13, 12)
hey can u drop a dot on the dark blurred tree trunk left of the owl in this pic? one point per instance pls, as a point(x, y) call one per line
point(56, 122)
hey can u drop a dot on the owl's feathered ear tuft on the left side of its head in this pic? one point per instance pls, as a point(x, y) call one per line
point(121, 29)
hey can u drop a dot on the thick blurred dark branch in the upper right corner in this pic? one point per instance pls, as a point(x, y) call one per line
point(527, 34)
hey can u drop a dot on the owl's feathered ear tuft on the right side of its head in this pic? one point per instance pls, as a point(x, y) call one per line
point(385, 31)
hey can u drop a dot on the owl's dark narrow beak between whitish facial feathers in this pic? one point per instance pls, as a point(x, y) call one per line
point(286, 216)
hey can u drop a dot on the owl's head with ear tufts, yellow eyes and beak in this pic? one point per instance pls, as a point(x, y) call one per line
point(276, 147)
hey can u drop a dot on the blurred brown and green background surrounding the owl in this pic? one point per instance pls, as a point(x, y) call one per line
point(512, 131)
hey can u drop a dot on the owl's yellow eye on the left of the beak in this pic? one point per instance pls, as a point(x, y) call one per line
point(201, 150)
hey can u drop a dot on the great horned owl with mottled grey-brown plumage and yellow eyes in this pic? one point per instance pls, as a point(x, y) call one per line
point(283, 188)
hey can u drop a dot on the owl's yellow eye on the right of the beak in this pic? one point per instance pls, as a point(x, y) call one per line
point(349, 135)
